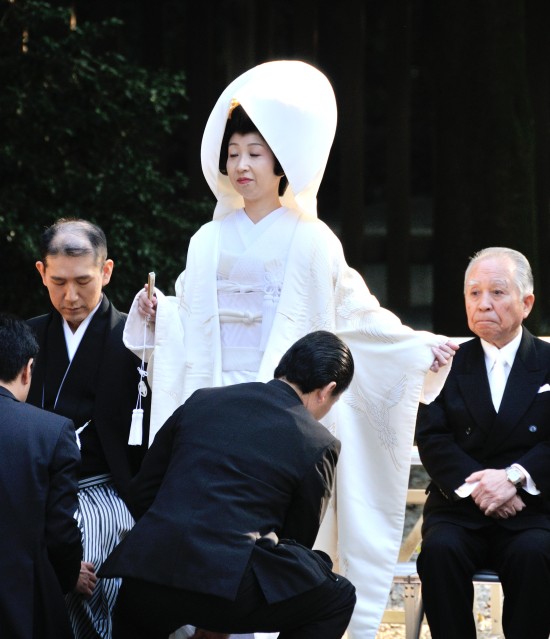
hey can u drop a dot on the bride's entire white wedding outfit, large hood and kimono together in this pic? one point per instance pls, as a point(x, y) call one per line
point(299, 282)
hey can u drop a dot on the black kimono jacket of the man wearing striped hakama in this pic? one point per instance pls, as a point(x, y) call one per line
point(109, 385)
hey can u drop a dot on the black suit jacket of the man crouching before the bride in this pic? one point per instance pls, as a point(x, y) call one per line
point(231, 465)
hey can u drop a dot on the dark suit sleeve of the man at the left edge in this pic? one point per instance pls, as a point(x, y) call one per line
point(62, 534)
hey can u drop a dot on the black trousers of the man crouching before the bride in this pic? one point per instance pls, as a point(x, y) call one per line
point(149, 611)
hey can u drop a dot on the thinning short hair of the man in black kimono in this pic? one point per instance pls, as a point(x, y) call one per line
point(51, 245)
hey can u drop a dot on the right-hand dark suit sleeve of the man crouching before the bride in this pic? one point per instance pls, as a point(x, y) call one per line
point(310, 501)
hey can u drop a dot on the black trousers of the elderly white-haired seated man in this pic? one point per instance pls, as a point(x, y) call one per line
point(451, 554)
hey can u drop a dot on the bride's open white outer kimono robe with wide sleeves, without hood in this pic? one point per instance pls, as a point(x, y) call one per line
point(374, 419)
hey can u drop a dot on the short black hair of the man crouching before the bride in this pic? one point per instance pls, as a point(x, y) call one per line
point(315, 360)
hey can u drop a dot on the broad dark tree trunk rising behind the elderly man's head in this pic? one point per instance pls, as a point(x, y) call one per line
point(484, 193)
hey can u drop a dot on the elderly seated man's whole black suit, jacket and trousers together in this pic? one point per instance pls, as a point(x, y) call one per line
point(461, 433)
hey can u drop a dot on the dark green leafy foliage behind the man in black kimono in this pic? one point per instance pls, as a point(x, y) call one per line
point(85, 133)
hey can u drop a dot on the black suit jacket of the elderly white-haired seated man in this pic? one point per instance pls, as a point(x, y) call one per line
point(460, 432)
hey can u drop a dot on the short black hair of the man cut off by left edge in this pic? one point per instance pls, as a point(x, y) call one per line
point(17, 346)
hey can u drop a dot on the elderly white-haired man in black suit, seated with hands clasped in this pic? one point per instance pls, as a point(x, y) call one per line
point(485, 443)
